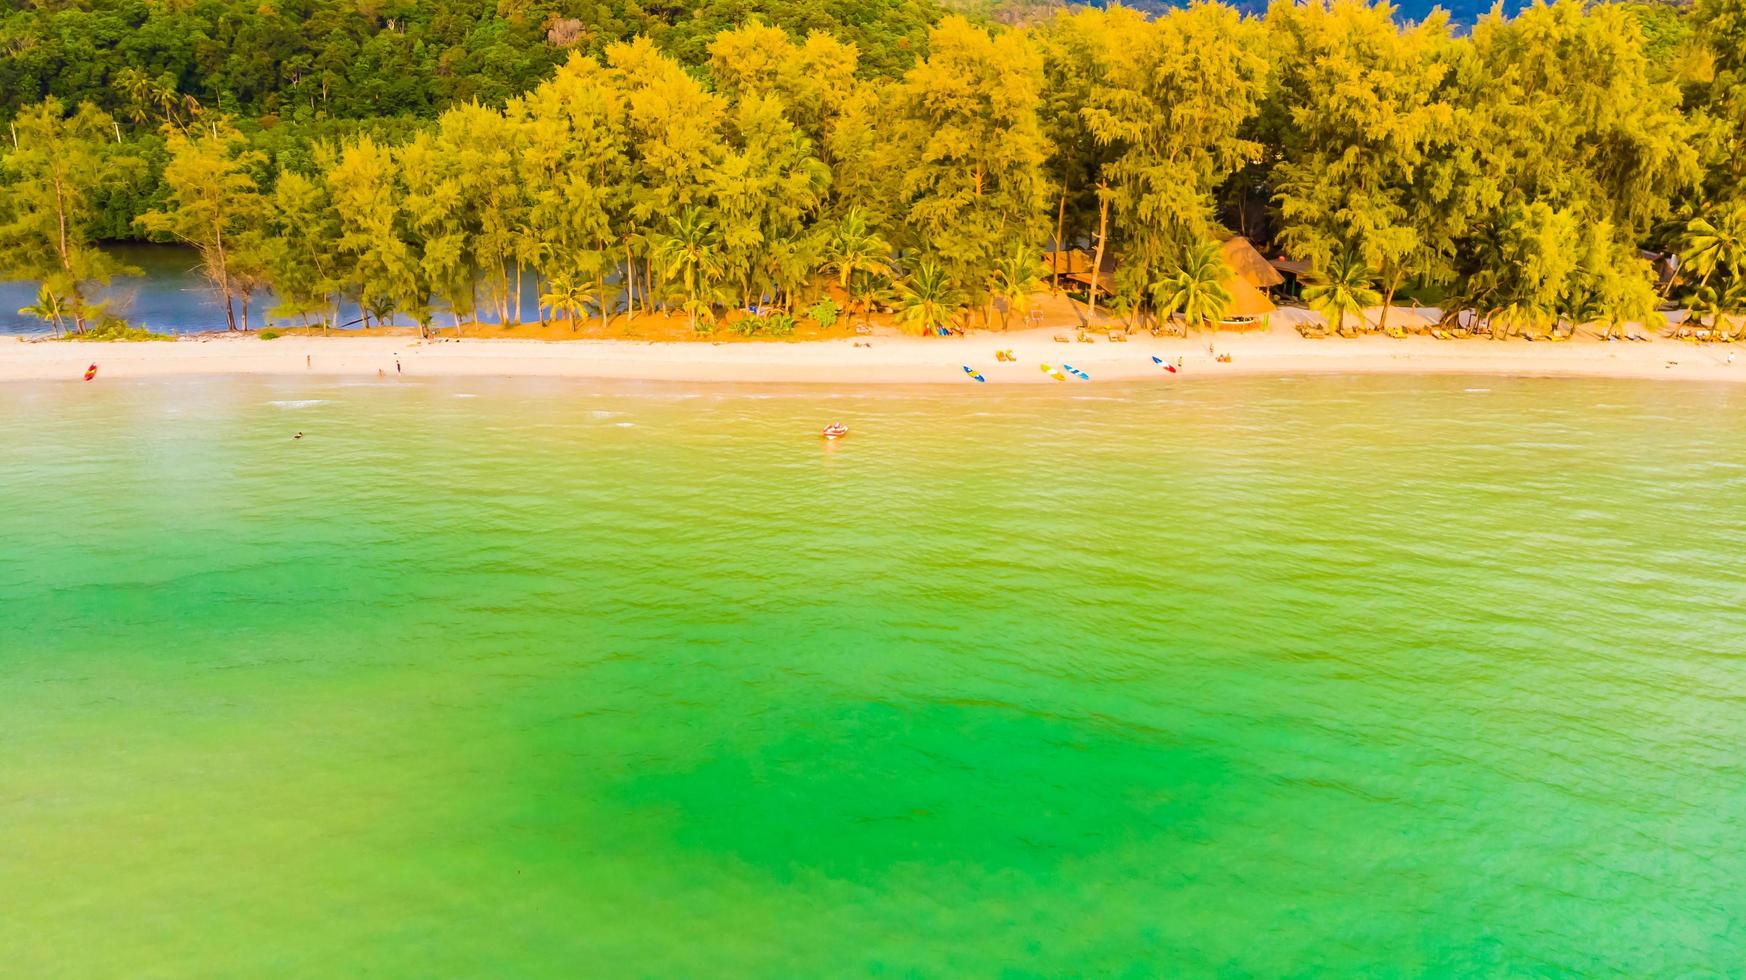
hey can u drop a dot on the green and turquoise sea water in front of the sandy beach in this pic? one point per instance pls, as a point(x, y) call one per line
point(535, 679)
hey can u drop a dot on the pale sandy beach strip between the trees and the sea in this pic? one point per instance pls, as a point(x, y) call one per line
point(888, 359)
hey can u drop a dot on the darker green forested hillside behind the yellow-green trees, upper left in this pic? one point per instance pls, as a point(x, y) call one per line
point(348, 60)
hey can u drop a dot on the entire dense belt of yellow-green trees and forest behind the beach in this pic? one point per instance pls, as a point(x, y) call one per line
point(430, 155)
